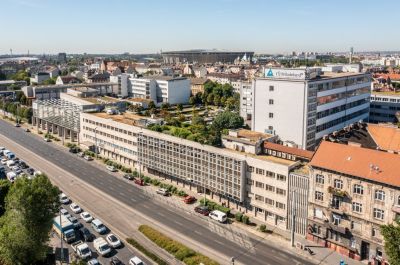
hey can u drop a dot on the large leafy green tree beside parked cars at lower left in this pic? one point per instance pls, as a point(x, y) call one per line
point(31, 206)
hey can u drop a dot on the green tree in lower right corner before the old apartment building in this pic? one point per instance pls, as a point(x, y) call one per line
point(391, 234)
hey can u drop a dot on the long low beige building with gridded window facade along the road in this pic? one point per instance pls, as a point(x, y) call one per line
point(244, 177)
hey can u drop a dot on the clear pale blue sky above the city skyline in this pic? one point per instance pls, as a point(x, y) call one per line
point(149, 26)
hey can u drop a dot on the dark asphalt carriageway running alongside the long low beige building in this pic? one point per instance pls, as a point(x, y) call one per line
point(196, 229)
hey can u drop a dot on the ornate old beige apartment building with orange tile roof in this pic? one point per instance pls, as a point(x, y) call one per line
point(353, 191)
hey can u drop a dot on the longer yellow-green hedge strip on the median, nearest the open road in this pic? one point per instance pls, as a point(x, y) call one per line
point(177, 249)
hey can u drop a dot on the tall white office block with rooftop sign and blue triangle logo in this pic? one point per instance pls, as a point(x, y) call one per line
point(303, 105)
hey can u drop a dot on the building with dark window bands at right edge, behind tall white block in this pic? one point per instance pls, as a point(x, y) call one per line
point(384, 106)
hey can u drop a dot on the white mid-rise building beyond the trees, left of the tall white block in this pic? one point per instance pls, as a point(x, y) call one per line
point(162, 89)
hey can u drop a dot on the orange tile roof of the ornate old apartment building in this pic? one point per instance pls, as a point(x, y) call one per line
point(357, 161)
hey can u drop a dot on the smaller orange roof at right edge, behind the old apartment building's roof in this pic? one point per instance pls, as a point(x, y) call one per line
point(386, 137)
